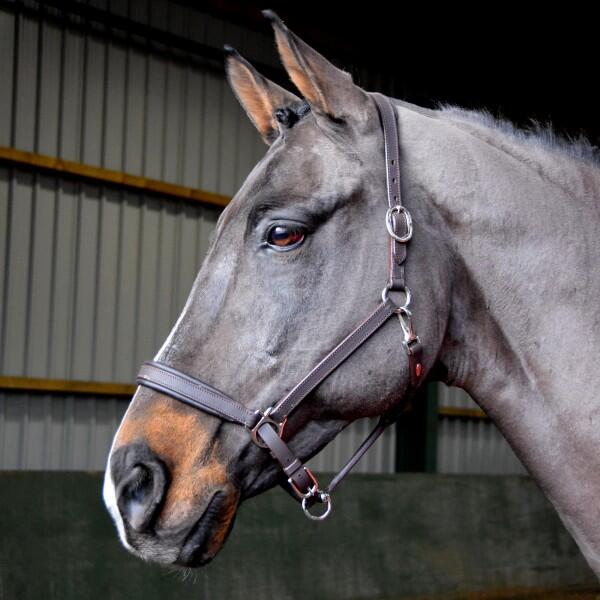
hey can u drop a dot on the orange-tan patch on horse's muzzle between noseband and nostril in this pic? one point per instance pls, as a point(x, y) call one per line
point(176, 435)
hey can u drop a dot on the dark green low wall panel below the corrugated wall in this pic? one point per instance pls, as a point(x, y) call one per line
point(396, 536)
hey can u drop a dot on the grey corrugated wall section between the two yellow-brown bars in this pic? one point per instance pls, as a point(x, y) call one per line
point(93, 277)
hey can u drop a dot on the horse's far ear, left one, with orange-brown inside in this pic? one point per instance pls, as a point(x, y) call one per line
point(259, 97)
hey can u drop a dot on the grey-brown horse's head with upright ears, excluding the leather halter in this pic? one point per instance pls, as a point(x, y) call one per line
point(297, 258)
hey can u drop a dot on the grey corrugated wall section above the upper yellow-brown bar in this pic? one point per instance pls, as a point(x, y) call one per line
point(84, 98)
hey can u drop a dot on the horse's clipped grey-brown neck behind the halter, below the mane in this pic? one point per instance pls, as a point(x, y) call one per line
point(524, 332)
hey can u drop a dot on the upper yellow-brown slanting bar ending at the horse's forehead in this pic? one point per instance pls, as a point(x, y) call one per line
point(66, 167)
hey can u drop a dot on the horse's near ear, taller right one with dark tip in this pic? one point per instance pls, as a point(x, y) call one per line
point(329, 90)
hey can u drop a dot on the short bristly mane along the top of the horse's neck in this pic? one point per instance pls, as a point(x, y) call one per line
point(537, 133)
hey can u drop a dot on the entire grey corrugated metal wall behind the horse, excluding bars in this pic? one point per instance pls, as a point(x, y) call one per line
point(93, 276)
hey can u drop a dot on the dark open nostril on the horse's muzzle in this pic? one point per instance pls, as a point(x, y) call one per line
point(141, 483)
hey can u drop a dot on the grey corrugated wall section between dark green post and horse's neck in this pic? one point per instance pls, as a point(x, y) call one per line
point(471, 446)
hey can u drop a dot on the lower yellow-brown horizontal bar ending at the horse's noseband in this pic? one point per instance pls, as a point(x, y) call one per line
point(91, 388)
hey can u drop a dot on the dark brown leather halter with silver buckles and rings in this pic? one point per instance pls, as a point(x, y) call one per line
point(266, 428)
